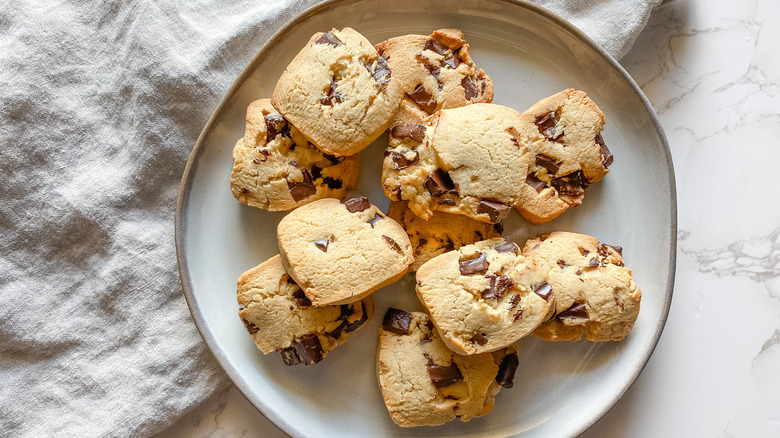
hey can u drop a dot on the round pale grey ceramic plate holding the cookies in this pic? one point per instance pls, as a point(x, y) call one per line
point(561, 389)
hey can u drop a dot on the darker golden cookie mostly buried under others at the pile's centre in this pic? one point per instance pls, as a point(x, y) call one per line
point(442, 232)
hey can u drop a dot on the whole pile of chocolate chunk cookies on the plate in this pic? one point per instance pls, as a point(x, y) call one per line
point(454, 168)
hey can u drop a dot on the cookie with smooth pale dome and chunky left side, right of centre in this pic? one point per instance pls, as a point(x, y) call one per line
point(468, 161)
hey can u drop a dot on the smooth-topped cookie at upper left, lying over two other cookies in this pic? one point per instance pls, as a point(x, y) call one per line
point(338, 92)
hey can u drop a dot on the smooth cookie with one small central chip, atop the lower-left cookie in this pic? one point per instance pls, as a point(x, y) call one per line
point(339, 252)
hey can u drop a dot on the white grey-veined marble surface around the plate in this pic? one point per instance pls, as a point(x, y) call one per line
point(710, 69)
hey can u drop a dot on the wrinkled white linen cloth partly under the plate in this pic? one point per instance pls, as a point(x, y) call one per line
point(100, 105)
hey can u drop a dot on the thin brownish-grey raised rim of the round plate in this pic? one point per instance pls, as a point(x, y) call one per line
point(182, 204)
